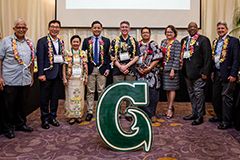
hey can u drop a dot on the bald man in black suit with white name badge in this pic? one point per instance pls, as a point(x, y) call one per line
point(196, 67)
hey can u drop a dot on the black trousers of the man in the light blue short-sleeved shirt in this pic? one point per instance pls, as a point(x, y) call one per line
point(15, 99)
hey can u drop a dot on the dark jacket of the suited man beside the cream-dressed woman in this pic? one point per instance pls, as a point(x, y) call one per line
point(43, 60)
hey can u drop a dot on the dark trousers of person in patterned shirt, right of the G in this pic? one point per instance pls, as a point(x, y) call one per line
point(153, 101)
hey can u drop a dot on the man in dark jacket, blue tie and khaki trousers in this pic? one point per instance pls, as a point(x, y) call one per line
point(97, 48)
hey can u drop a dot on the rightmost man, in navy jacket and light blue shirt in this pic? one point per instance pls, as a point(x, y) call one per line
point(226, 63)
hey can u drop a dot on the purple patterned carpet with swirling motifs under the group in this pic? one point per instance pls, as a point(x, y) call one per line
point(173, 139)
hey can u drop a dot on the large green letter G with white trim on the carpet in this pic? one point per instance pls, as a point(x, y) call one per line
point(107, 117)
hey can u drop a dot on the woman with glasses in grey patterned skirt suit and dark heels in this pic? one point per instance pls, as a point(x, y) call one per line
point(171, 48)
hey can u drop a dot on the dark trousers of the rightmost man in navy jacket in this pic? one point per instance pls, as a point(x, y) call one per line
point(223, 98)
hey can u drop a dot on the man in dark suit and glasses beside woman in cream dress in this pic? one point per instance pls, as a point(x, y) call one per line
point(50, 50)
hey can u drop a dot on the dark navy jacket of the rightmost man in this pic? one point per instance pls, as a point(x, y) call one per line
point(229, 67)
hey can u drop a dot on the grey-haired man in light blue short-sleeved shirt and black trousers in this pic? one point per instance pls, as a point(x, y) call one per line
point(16, 76)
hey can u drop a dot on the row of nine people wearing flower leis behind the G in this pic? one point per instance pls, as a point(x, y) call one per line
point(127, 59)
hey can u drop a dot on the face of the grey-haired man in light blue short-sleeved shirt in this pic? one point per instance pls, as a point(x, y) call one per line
point(20, 29)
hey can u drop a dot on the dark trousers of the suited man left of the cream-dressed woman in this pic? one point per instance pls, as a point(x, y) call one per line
point(49, 95)
